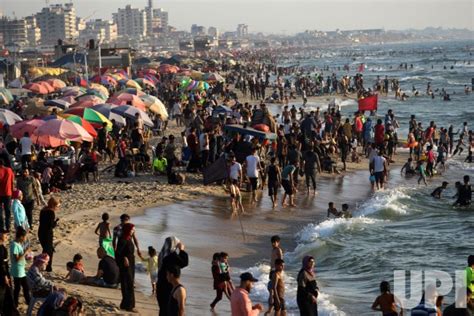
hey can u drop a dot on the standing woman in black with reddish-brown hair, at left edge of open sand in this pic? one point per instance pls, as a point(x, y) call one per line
point(48, 222)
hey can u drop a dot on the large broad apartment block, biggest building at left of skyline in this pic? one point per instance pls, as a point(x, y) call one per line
point(57, 22)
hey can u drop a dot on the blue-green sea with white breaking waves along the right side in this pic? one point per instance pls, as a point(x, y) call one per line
point(402, 227)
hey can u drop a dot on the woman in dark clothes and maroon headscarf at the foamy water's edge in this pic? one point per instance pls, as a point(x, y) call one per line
point(307, 292)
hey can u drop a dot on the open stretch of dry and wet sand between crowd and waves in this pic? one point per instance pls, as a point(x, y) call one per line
point(199, 215)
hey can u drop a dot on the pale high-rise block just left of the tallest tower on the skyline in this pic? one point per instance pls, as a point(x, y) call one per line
point(131, 22)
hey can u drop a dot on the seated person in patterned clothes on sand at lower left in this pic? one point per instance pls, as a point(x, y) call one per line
point(39, 286)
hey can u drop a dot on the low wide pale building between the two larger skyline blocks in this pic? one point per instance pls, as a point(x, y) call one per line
point(101, 31)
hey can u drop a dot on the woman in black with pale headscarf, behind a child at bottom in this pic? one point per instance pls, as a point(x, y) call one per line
point(172, 254)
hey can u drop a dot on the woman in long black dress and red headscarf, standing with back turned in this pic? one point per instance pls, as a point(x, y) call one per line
point(125, 258)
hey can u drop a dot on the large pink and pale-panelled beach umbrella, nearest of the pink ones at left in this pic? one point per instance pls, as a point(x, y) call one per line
point(55, 132)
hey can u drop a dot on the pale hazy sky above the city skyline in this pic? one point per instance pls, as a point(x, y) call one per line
point(282, 16)
